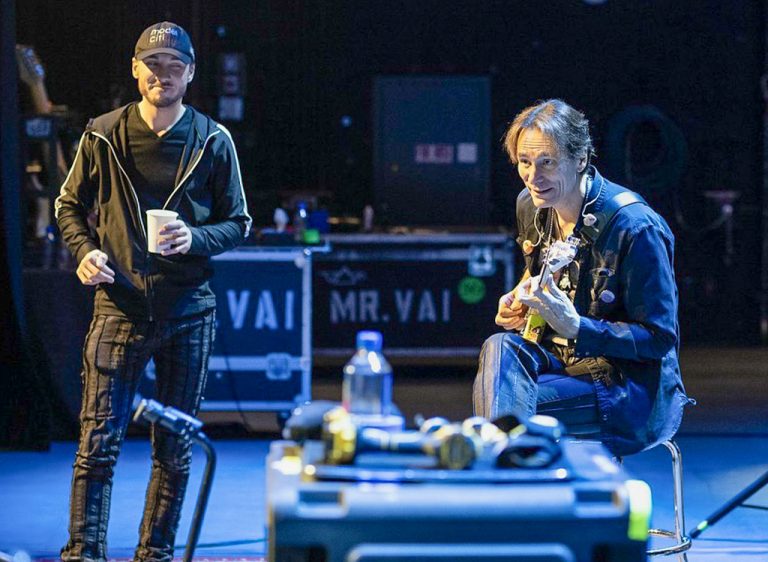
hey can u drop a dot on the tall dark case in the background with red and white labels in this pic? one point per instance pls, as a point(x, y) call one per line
point(432, 149)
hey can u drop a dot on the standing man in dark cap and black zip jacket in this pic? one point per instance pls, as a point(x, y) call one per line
point(157, 153)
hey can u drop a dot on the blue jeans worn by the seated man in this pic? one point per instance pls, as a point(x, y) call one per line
point(517, 376)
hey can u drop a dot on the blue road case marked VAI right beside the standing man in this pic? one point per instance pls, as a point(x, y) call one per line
point(262, 356)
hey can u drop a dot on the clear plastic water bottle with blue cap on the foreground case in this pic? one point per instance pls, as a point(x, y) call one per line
point(367, 389)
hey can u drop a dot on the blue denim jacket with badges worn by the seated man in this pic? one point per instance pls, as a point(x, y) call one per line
point(627, 298)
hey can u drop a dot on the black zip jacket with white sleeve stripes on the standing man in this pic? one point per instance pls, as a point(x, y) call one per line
point(209, 199)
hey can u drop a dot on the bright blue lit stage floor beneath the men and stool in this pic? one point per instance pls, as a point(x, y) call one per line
point(34, 490)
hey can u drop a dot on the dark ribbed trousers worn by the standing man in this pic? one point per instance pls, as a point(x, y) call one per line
point(115, 353)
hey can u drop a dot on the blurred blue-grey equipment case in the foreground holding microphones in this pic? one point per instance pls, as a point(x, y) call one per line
point(585, 509)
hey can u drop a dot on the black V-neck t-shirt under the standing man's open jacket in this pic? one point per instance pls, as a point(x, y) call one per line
point(154, 163)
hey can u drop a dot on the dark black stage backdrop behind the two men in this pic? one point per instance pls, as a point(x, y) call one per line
point(686, 73)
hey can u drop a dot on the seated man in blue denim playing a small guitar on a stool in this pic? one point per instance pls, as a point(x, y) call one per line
point(606, 362)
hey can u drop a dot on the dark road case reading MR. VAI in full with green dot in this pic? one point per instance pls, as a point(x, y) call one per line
point(432, 296)
